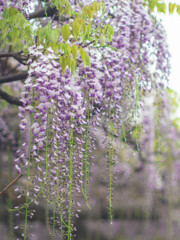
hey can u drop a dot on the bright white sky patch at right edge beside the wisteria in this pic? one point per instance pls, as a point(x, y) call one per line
point(172, 26)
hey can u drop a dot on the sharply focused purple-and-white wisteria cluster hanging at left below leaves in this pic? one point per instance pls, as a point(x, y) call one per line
point(56, 106)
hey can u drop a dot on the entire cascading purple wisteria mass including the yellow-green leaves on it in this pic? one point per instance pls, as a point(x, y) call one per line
point(89, 66)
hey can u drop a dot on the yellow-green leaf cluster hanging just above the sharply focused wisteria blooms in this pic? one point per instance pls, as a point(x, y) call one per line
point(79, 30)
